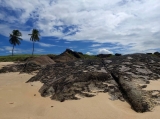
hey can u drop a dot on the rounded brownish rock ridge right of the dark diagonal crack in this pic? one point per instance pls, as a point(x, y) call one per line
point(139, 99)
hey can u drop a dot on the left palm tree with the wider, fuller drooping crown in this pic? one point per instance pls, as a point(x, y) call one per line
point(15, 38)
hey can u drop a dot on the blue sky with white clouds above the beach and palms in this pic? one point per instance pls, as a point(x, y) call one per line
point(87, 26)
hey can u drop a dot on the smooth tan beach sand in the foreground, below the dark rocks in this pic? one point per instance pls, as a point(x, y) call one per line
point(20, 100)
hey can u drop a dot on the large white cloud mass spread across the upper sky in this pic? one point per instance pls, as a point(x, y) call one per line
point(118, 21)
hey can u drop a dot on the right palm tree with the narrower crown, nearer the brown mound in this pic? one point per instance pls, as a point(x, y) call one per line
point(34, 37)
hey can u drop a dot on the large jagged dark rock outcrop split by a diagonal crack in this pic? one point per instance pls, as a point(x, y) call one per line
point(119, 76)
